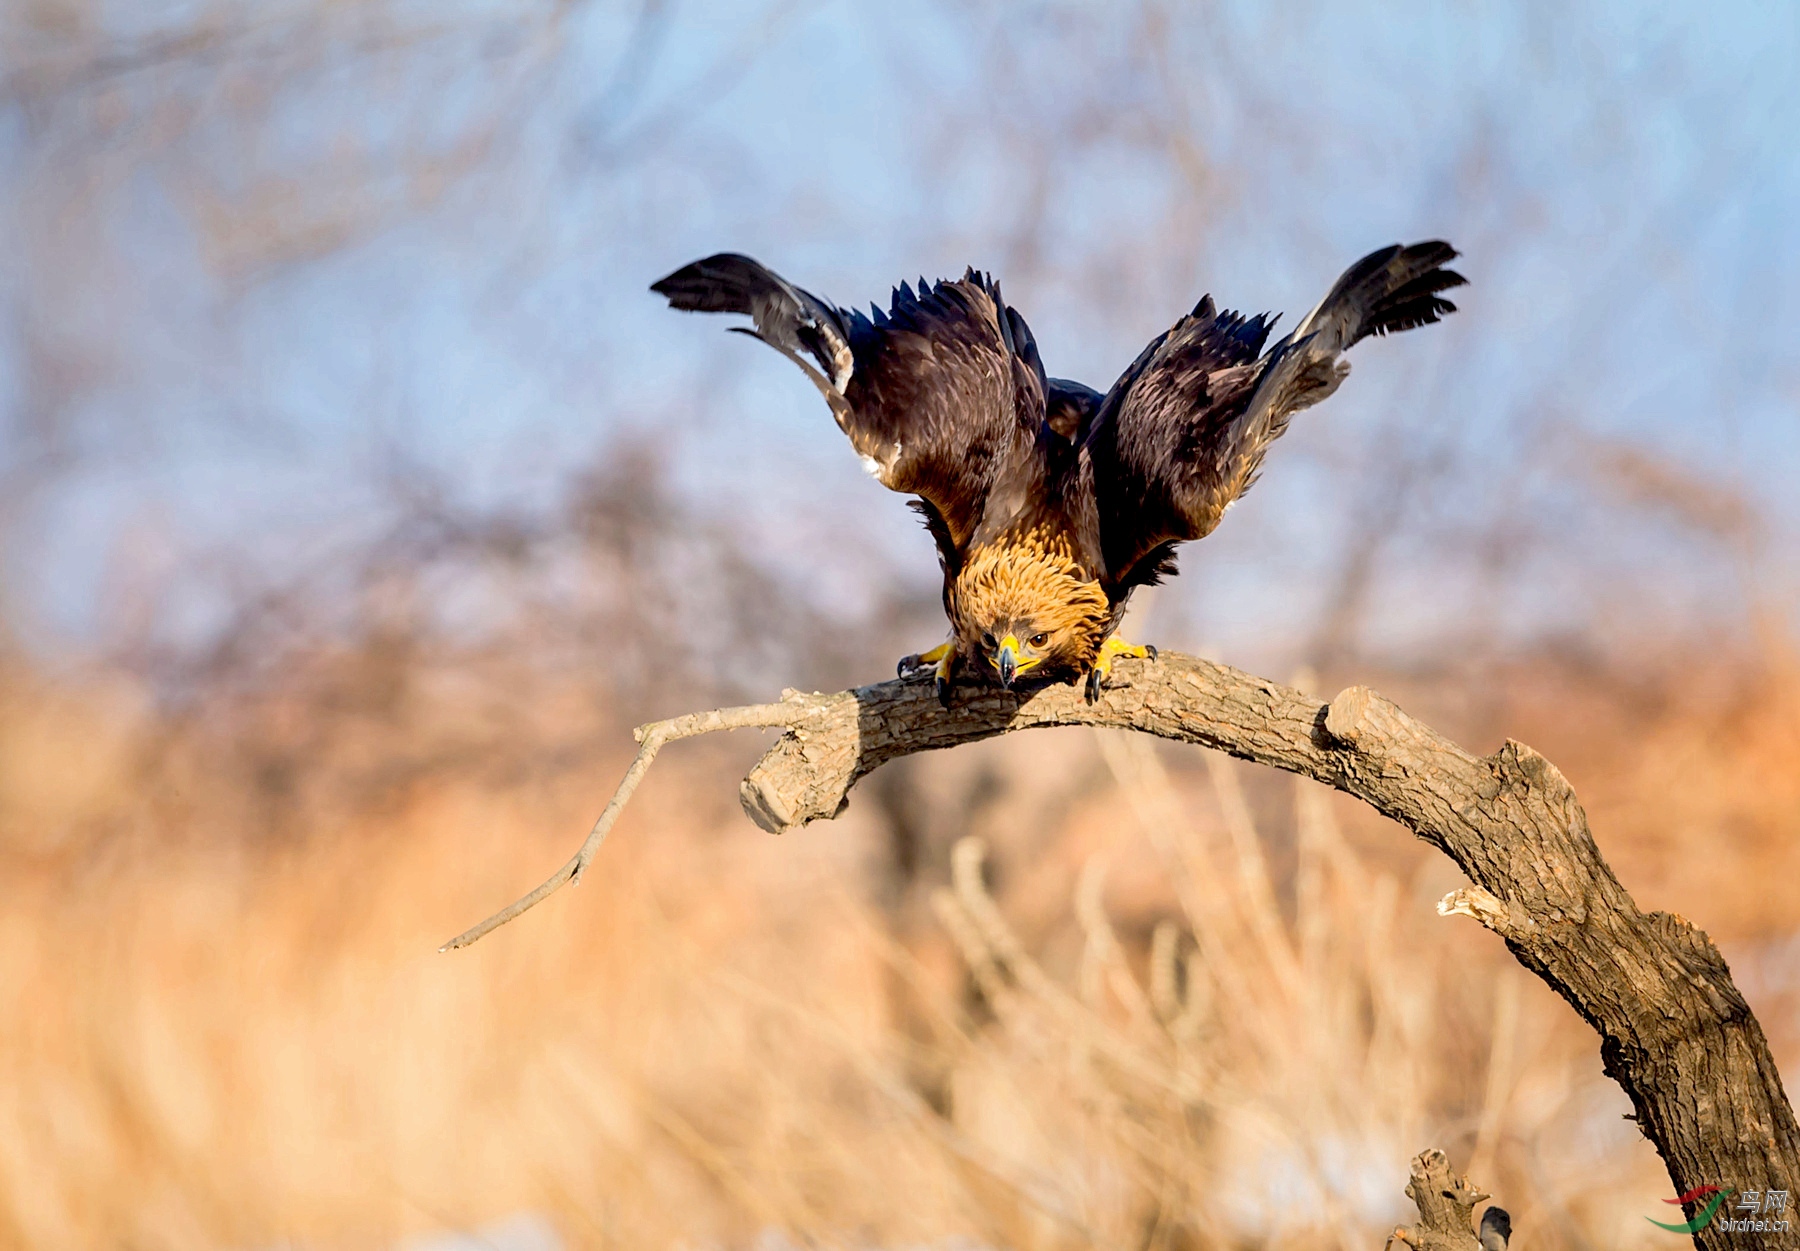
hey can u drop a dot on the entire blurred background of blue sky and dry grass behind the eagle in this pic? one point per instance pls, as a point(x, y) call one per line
point(357, 499)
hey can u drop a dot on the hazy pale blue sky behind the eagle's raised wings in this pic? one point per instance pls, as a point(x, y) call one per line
point(433, 253)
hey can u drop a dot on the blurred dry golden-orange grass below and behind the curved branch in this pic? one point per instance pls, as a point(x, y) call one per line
point(1183, 1003)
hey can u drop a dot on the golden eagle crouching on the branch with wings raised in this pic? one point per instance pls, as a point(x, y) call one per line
point(1050, 503)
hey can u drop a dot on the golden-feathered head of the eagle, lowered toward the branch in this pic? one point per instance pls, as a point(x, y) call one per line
point(1023, 609)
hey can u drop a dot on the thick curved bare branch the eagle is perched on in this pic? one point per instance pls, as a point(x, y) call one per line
point(1675, 1030)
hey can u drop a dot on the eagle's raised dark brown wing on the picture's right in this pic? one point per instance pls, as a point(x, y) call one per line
point(1183, 431)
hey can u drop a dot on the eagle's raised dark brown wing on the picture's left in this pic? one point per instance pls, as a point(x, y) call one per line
point(942, 395)
